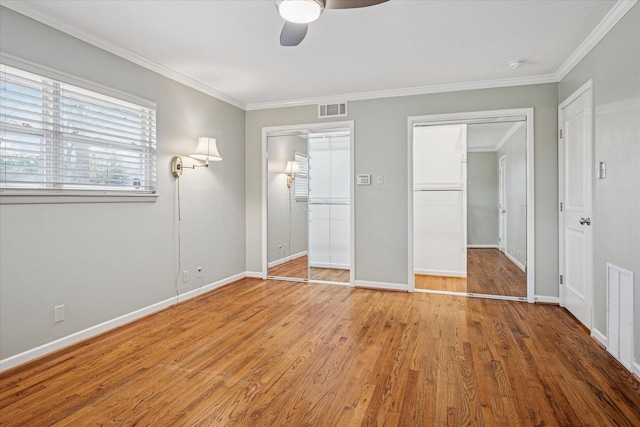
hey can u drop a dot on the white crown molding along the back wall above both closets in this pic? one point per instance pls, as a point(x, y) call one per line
point(411, 91)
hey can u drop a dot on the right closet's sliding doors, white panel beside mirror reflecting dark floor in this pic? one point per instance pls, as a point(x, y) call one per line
point(491, 219)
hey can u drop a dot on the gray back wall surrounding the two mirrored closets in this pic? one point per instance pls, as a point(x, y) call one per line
point(381, 148)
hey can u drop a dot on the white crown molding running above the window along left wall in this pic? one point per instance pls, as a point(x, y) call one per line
point(17, 6)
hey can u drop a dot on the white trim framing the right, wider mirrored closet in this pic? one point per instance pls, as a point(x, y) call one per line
point(469, 117)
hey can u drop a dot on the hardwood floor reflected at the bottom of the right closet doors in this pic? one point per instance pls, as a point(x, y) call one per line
point(489, 272)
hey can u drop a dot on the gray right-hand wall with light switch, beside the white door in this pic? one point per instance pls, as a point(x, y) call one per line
point(614, 66)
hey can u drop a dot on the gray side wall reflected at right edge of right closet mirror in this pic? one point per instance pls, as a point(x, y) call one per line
point(515, 148)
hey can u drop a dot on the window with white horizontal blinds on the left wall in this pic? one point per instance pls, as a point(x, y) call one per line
point(58, 137)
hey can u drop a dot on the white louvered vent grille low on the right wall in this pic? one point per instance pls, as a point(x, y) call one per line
point(620, 300)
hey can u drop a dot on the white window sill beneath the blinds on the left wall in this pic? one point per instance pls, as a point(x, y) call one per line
point(37, 197)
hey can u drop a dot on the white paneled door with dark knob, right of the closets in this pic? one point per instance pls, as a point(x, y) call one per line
point(575, 152)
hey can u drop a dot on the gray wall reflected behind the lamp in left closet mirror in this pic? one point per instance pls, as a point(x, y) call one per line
point(286, 230)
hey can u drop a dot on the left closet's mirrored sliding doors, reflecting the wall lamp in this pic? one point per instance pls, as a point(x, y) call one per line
point(308, 221)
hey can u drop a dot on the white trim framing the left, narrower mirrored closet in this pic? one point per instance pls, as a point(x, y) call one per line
point(314, 127)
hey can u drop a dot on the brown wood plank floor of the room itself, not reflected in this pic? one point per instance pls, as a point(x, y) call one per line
point(266, 353)
